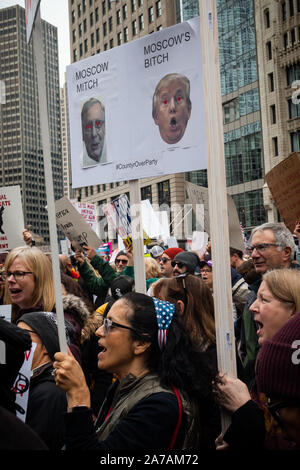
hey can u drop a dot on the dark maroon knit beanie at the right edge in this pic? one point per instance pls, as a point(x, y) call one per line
point(278, 362)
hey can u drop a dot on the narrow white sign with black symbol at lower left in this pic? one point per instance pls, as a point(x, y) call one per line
point(22, 383)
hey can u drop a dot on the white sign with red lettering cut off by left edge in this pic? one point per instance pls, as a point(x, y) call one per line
point(11, 218)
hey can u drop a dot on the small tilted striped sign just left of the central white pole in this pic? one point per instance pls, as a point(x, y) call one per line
point(118, 212)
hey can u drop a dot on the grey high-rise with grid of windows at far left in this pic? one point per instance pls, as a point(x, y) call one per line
point(21, 156)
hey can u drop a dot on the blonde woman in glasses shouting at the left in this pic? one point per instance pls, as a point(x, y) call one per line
point(29, 287)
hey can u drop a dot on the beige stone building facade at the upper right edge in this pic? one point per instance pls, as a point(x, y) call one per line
point(278, 49)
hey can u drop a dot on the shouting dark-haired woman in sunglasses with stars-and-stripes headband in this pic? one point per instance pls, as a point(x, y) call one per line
point(152, 405)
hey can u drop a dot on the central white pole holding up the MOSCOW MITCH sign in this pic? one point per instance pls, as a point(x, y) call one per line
point(137, 236)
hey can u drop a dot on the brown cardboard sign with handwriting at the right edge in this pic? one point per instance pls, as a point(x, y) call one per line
point(284, 184)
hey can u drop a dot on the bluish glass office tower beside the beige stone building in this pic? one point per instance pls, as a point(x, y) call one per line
point(241, 107)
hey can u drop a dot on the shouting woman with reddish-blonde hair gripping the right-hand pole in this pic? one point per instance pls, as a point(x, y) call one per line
point(278, 301)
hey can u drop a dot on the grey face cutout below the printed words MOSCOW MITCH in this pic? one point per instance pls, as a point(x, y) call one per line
point(93, 132)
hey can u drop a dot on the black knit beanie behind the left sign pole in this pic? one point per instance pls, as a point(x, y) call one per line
point(44, 324)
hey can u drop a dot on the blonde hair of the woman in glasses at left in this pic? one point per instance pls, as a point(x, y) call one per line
point(40, 265)
